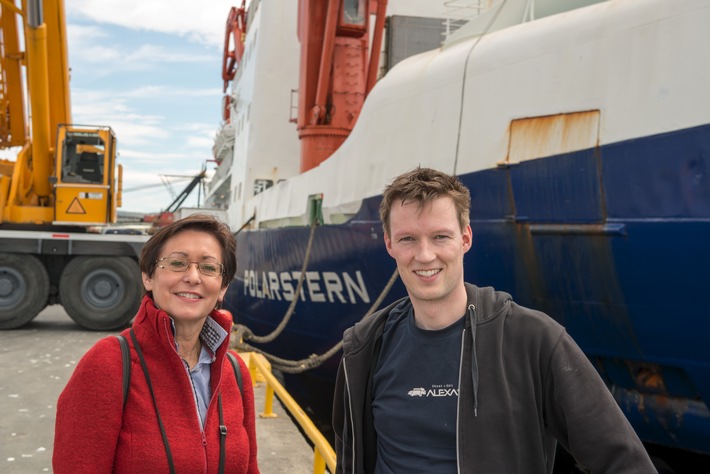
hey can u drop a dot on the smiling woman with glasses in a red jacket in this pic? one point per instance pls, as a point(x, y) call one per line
point(183, 411)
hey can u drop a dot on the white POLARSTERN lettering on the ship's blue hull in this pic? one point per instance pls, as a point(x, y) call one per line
point(318, 287)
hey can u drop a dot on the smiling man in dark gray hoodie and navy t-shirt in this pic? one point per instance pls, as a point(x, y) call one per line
point(460, 379)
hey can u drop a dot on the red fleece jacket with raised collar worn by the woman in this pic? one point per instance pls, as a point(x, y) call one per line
point(95, 433)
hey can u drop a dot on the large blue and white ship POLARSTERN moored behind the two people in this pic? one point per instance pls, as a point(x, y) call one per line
point(582, 129)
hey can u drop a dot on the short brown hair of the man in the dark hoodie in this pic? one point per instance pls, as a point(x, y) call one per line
point(422, 186)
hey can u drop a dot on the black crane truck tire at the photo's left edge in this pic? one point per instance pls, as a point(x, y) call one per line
point(24, 289)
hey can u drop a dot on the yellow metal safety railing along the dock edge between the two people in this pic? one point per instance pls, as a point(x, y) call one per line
point(323, 453)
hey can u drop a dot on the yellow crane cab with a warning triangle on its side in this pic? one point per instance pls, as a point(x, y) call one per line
point(84, 174)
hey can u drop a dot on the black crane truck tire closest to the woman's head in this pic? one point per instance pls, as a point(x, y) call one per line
point(101, 293)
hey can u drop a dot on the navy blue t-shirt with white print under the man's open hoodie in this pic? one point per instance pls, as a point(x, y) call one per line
point(415, 397)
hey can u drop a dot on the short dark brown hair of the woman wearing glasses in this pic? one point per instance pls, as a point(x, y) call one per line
point(199, 222)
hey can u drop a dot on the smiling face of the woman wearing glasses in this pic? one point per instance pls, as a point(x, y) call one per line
point(187, 296)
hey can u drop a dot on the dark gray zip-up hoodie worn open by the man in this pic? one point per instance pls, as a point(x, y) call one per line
point(524, 386)
